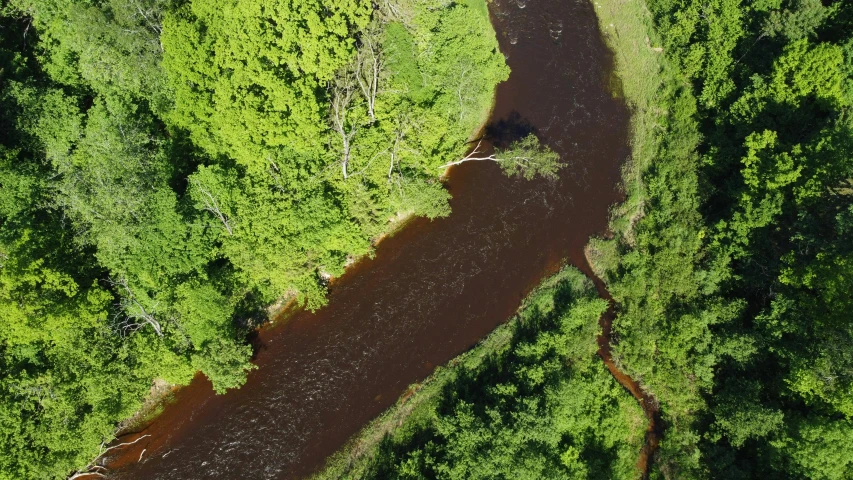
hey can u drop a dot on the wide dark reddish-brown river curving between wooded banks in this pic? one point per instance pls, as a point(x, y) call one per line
point(433, 289)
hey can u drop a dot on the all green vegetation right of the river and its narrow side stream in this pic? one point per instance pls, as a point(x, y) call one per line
point(732, 258)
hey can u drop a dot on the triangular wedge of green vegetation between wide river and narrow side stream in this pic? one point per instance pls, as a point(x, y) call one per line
point(531, 401)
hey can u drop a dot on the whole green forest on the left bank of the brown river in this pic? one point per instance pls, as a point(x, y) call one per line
point(170, 169)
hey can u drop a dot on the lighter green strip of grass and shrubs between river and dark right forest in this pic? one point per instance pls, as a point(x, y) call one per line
point(651, 252)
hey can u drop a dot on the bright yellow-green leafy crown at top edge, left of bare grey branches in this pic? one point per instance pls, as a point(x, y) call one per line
point(249, 77)
